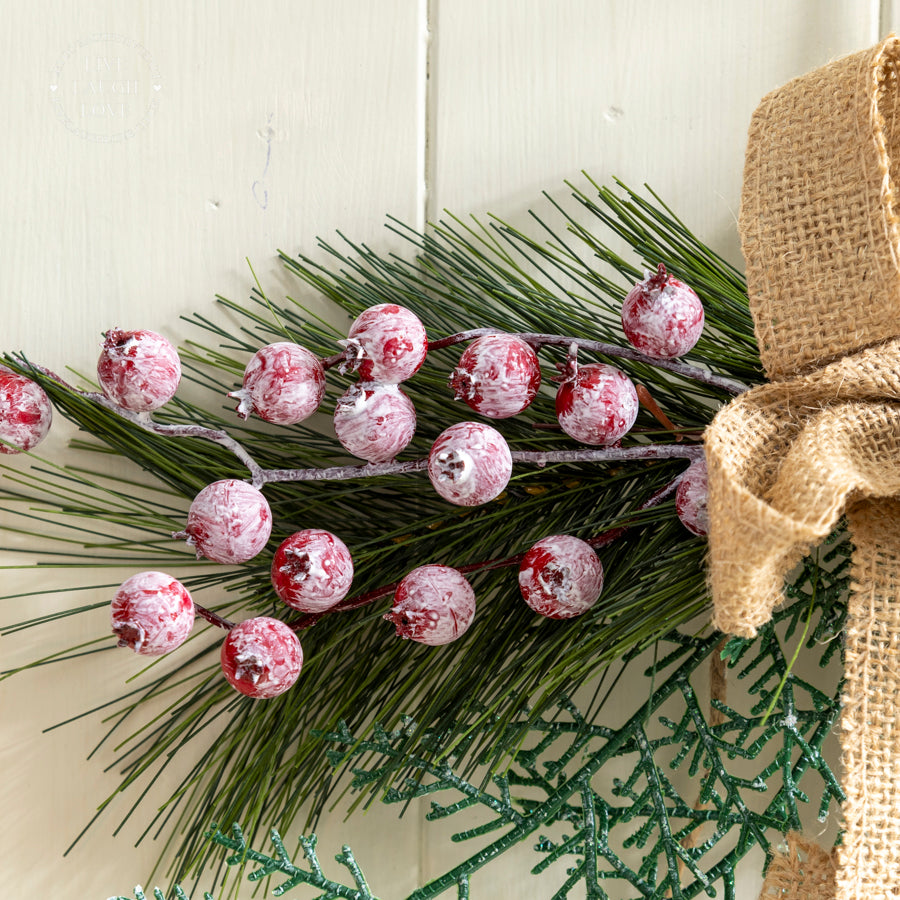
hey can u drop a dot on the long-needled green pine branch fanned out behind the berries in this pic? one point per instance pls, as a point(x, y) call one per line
point(463, 274)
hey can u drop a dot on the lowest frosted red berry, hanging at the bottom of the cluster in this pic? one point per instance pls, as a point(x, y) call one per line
point(261, 657)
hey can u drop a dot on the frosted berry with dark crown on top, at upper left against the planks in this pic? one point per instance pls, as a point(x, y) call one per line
point(138, 370)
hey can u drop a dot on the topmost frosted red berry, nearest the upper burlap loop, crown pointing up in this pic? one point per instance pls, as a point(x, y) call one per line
point(662, 317)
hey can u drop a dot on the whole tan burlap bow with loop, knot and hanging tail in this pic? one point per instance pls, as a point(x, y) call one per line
point(819, 226)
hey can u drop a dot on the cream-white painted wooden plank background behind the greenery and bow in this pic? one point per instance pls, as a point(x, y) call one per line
point(259, 127)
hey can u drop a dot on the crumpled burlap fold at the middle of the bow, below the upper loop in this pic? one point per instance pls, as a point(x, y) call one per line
point(785, 461)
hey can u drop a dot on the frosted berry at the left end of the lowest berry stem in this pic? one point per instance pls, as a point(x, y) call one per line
point(152, 613)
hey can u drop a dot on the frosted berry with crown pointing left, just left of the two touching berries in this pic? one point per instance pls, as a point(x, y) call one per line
point(283, 383)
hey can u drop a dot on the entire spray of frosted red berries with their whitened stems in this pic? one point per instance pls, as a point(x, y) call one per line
point(469, 464)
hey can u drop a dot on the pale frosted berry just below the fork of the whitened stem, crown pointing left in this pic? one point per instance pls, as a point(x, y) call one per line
point(229, 522)
